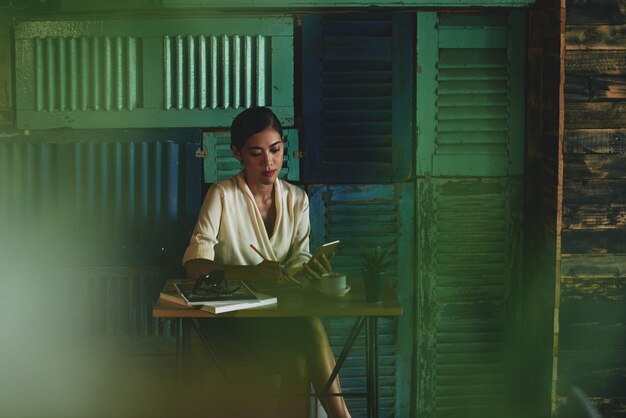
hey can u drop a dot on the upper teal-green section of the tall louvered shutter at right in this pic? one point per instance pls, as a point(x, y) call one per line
point(470, 89)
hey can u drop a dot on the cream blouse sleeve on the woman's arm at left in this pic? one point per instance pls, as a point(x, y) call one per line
point(204, 236)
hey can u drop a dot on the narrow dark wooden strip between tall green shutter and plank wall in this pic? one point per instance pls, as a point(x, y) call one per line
point(543, 100)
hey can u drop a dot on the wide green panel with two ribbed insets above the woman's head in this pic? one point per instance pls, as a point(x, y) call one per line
point(152, 72)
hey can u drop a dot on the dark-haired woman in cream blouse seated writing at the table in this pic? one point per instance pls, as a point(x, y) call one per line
point(255, 207)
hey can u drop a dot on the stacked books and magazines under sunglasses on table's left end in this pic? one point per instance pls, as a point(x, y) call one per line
point(241, 297)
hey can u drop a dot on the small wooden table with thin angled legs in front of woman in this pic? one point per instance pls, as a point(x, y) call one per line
point(305, 301)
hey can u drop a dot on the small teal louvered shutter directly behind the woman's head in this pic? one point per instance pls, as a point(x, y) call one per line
point(220, 164)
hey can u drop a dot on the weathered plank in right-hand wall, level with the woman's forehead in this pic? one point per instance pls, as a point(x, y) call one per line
point(595, 141)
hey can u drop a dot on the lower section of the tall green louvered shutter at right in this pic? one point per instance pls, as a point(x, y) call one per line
point(469, 269)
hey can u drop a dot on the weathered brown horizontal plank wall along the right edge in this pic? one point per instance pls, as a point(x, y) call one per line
point(592, 342)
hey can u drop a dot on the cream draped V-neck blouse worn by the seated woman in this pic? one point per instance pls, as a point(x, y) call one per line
point(229, 221)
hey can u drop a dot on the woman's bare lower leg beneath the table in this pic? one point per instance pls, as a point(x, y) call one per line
point(321, 362)
